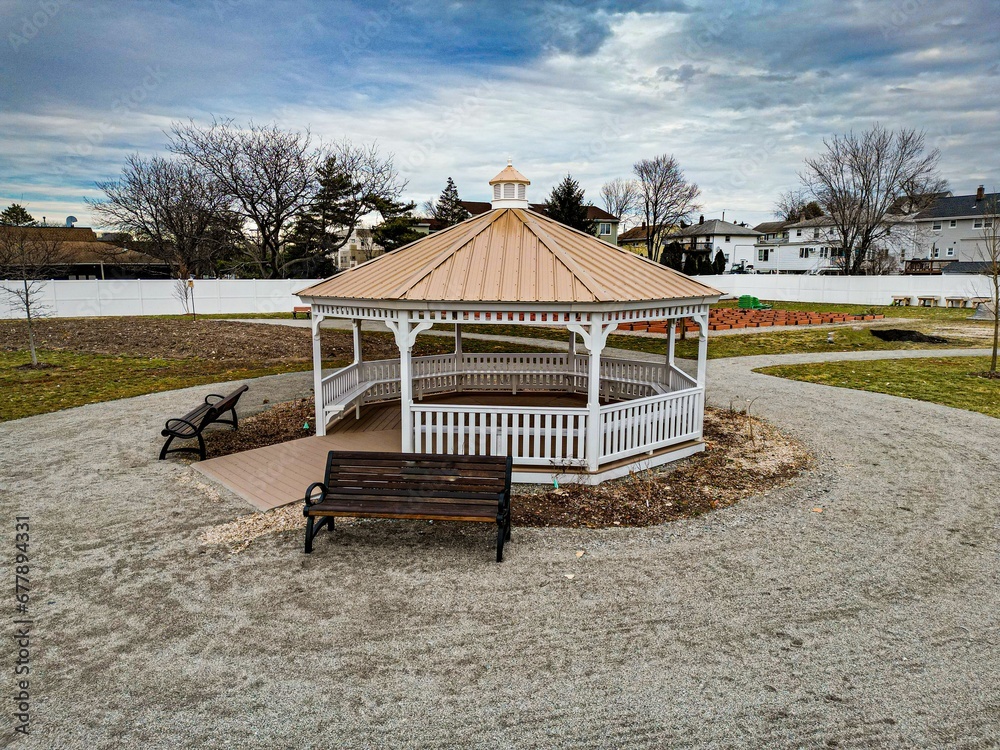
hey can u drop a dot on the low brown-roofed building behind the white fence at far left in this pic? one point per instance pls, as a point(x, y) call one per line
point(83, 255)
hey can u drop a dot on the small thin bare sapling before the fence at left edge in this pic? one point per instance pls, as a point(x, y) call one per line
point(28, 255)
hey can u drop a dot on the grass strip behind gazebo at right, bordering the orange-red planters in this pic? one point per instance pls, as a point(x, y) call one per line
point(795, 340)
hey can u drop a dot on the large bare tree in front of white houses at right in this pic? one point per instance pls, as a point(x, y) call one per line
point(859, 180)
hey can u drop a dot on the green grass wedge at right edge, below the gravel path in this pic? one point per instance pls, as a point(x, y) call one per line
point(947, 380)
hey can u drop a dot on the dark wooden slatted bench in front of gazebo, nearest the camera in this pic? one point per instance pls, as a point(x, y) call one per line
point(411, 485)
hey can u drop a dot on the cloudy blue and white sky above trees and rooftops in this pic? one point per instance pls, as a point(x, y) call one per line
point(740, 91)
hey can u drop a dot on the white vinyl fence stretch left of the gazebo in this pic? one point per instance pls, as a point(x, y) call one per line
point(77, 299)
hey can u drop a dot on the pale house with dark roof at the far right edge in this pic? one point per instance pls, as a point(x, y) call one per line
point(952, 228)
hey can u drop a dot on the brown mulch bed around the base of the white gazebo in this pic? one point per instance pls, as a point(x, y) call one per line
point(744, 456)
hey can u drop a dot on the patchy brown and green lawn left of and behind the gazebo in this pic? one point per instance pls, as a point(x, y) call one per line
point(101, 359)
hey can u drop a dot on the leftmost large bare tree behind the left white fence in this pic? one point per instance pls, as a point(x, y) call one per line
point(178, 211)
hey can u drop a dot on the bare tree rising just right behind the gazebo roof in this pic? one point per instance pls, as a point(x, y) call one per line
point(665, 198)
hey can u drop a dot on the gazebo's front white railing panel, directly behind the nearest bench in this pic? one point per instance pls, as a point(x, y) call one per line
point(548, 437)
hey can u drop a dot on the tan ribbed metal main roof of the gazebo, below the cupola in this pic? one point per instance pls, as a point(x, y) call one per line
point(510, 255)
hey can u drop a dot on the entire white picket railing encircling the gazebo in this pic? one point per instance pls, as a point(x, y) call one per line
point(659, 405)
